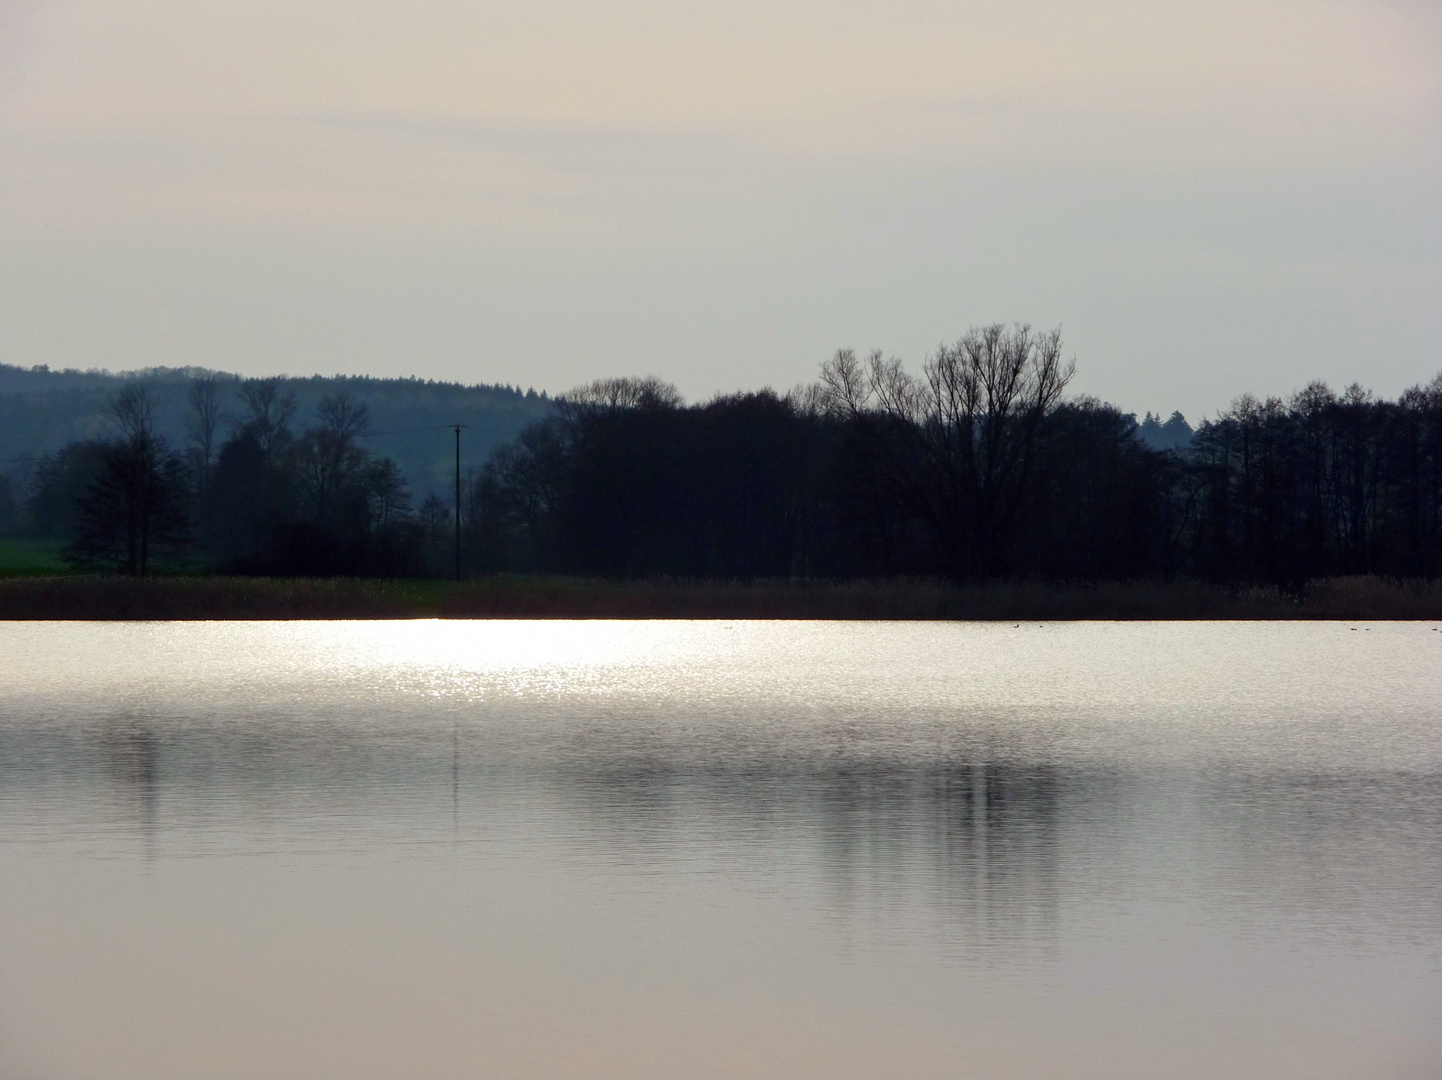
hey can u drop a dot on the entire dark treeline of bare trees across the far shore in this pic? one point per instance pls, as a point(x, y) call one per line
point(977, 468)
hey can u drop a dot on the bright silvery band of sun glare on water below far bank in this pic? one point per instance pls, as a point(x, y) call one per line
point(1154, 687)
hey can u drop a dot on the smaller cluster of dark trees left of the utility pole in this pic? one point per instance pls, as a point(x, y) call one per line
point(262, 501)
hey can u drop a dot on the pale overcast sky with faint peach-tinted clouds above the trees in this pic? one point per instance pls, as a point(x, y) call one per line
point(1209, 197)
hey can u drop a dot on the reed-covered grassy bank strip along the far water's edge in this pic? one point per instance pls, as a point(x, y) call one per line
point(190, 599)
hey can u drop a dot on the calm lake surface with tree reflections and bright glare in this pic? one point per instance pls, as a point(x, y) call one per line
point(707, 850)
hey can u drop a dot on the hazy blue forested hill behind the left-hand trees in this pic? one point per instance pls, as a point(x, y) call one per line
point(43, 410)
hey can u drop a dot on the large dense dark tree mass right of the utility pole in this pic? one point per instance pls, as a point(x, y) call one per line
point(976, 469)
